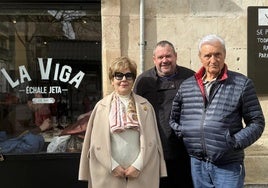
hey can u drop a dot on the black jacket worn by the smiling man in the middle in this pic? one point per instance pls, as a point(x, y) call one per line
point(160, 92)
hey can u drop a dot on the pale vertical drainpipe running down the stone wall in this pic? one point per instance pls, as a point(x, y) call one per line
point(142, 42)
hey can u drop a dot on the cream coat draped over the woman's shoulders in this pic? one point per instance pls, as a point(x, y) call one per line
point(95, 163)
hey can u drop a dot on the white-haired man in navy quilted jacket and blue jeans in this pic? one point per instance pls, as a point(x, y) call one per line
point(207, 112)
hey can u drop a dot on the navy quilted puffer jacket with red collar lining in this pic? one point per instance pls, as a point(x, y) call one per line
point(212, 129)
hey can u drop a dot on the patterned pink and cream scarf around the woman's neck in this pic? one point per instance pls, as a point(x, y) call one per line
point(121, 118)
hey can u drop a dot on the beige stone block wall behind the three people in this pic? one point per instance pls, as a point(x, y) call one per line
point(183, 23)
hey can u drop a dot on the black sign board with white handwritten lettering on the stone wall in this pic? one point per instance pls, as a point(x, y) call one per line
point(258, 47)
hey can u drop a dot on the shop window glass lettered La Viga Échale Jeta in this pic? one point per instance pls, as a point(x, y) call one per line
point(50, 60)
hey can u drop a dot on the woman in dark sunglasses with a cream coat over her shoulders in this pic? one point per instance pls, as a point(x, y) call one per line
point(122, 147)
